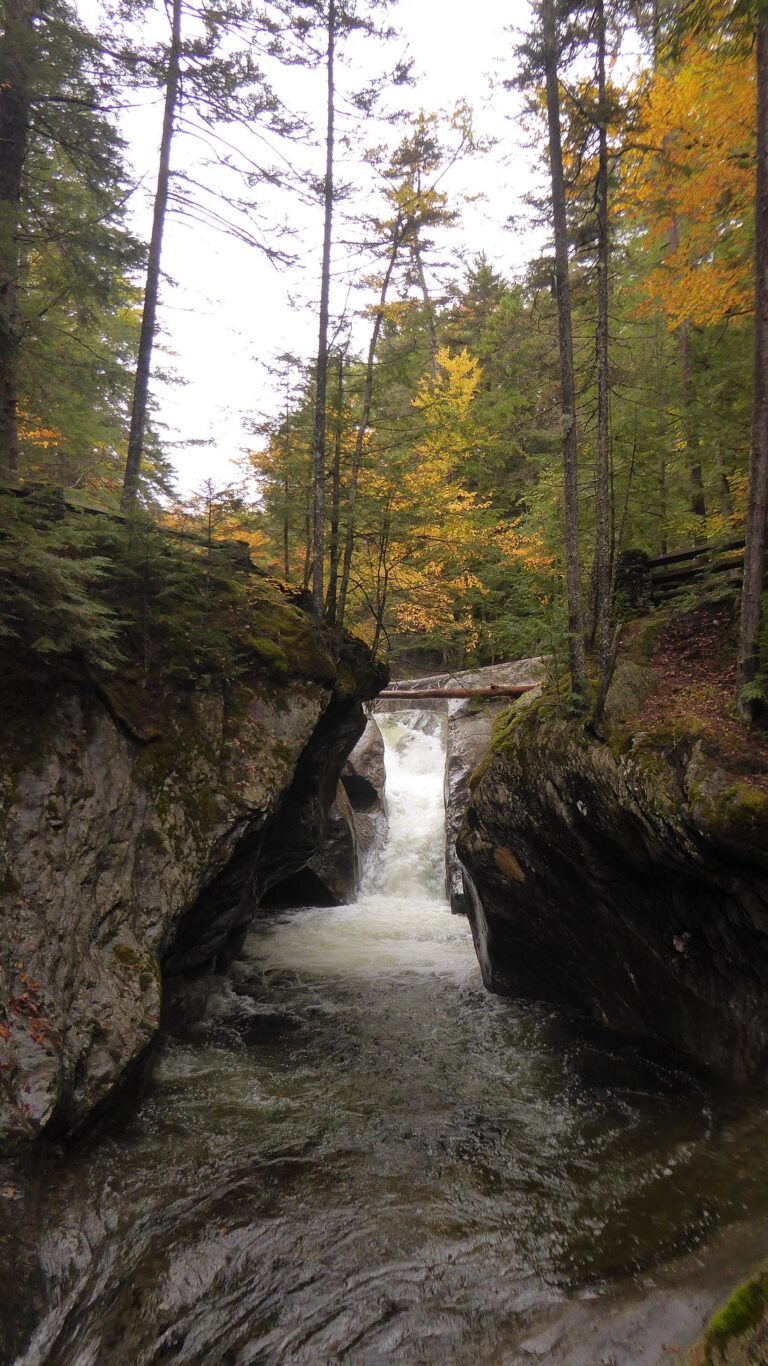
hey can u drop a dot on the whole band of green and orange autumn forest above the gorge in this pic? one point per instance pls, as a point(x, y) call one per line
point(463, 460)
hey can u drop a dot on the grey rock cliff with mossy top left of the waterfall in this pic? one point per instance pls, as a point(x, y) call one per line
point(133, 857)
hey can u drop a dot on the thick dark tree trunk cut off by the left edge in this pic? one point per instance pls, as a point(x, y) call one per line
point(16, 62)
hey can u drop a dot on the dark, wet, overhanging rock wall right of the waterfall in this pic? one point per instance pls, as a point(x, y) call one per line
point(625, 879)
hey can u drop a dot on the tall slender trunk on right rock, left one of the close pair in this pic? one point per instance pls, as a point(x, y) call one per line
point(566, 346)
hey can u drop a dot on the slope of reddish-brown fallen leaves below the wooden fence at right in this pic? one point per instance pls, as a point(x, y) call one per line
point(694, 656)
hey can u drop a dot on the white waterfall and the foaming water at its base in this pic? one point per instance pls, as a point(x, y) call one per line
point(402, 921)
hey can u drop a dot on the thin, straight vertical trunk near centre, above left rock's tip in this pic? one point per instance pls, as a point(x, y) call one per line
point(322, 372)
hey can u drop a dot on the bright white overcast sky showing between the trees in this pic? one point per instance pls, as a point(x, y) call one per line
point(229, 311)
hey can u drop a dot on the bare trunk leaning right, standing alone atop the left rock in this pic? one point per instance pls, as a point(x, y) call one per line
point(152, 289)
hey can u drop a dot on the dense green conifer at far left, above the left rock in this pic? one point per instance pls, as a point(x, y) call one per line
point(66, 256)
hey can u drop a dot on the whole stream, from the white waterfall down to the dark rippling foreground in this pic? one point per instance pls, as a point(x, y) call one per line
point(361, 1156)
